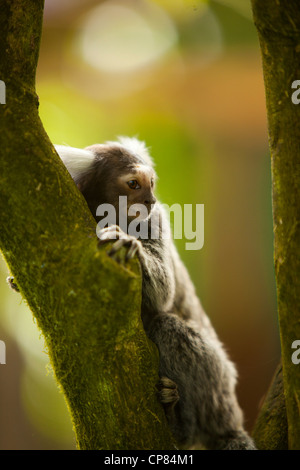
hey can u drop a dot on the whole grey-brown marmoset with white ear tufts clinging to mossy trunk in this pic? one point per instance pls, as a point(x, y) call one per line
point(197, 380)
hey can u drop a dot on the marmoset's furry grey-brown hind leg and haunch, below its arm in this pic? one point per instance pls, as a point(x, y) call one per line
point(207, 411)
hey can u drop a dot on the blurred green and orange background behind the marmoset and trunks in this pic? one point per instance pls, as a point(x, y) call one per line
point(186, 77)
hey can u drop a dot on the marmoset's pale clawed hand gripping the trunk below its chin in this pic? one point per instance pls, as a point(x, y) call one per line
point(113, 232)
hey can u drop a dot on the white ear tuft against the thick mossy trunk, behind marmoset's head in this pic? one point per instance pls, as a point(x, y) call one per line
point(77, 161)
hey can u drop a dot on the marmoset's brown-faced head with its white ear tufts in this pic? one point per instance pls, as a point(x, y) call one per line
point(104, 172)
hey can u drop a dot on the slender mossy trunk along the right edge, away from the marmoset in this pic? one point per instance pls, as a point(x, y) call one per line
point(278, 26)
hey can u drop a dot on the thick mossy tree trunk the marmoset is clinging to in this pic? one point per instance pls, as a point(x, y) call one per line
point(86, 304)
